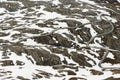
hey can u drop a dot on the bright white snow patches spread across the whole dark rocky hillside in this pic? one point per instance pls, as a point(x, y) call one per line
point(29, 69)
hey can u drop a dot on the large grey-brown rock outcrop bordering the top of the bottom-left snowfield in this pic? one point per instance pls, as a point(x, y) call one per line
point(43, 57)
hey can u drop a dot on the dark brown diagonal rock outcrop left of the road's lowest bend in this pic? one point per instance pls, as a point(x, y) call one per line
point(80, 59)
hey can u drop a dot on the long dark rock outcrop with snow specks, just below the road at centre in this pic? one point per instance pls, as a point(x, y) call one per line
point(60, 40)
